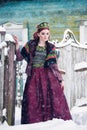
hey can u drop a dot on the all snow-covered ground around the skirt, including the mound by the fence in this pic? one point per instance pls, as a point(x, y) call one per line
point(79, 122)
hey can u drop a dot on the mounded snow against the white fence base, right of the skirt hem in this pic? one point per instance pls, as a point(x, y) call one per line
point(79, 111)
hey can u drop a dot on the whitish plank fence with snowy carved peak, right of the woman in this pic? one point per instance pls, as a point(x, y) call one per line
point(73, 62)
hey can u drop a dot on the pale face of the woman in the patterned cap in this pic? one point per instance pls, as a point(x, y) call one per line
point(44, 35)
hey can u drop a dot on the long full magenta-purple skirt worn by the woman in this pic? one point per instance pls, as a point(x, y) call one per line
point(43, 98)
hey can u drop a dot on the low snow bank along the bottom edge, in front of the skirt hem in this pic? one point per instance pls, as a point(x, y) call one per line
point(48, 125)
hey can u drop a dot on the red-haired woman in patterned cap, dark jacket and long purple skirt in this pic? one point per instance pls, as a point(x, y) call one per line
point(43, 97)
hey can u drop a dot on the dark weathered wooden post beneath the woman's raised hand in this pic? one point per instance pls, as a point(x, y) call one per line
point(11, 85)
